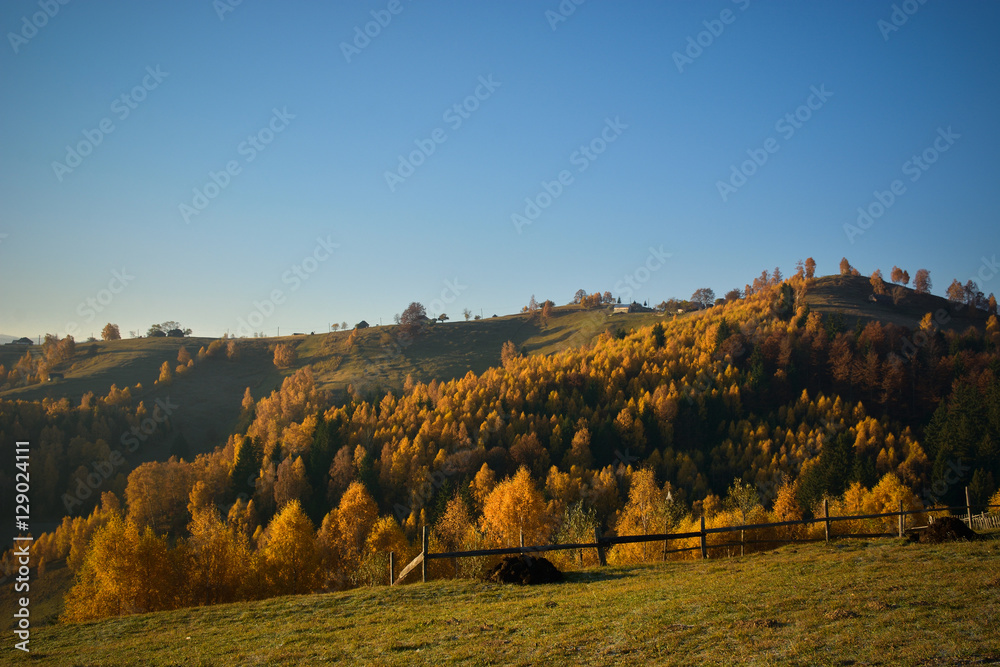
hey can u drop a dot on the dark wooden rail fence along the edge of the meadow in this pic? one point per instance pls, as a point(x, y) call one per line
point(601, 544)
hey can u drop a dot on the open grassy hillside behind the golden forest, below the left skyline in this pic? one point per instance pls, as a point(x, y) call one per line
point(209, 397)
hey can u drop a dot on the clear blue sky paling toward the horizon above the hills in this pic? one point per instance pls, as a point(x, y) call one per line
point(309, 117)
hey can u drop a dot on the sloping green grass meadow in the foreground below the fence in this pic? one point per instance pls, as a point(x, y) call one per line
point(880, 602)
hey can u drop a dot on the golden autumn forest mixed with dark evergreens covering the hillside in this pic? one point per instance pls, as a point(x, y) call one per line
point(749, 409)
